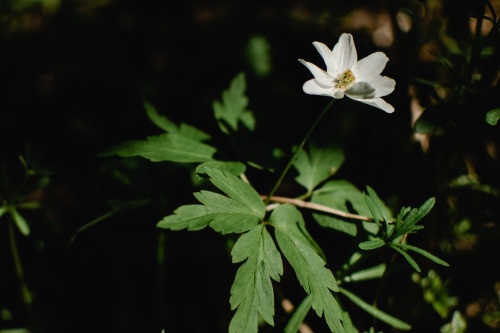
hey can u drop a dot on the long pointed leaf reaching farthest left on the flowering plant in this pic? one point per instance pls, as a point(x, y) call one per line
point(164, 147)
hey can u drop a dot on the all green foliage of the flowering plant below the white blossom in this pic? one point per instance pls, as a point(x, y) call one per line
point(238, 208)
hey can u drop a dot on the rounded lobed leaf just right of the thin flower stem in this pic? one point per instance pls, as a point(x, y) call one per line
point(317, 165)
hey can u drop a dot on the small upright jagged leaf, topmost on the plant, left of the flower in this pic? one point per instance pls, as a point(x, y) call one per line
point(232, 109)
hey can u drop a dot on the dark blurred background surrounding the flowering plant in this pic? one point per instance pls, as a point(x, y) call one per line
point(74, 75)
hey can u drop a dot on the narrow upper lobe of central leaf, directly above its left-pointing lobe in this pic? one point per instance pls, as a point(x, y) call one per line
point(238, 190)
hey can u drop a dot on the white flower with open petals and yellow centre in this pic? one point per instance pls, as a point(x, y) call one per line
point(345, 75)
